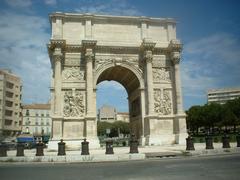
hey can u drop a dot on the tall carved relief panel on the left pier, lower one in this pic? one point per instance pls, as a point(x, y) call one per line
point(73, 104)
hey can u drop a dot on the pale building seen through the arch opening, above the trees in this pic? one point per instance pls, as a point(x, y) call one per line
point(110, 114)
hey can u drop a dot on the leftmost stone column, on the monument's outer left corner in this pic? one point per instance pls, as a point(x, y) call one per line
point(57, 58)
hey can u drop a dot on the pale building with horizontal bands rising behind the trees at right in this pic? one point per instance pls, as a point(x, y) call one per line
point(221, 96)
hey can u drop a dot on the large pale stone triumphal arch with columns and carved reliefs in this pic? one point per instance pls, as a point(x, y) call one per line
point(141, 53)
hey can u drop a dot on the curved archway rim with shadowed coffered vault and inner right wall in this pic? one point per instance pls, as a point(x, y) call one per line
point(131, 78)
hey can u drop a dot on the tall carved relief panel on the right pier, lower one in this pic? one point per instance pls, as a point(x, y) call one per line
point(162, 102)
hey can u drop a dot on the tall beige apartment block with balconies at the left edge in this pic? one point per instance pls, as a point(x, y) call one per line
point(10, 102)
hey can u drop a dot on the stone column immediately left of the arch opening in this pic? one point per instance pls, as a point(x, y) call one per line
point(89, 81)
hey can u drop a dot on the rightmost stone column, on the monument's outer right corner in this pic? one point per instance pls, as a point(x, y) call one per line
point(176, 60)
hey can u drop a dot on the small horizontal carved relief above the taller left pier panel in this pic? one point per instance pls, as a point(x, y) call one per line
point(73, 73)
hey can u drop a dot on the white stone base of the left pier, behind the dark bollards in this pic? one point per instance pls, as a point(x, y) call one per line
point(74, 144)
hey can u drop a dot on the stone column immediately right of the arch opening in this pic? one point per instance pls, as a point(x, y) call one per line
point(148, 59)
